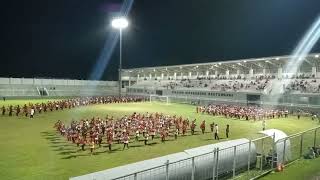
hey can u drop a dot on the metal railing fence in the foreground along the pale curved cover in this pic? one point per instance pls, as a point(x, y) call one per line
point(260, 159)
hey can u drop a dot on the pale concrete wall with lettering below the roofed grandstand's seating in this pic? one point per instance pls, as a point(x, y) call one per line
point(292, 101)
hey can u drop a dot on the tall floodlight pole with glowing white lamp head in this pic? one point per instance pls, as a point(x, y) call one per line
point(120, 23)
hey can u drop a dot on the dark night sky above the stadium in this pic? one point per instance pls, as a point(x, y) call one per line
point(64, 38)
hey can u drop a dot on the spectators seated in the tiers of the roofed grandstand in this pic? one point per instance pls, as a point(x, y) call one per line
point(303, 83)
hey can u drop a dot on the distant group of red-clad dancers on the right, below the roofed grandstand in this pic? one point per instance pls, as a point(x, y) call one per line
point(242, 112)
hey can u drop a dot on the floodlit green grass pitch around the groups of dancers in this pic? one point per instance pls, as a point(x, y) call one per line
point(31, 148)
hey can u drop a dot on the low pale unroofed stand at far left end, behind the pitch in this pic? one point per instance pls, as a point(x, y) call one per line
point(35, 87)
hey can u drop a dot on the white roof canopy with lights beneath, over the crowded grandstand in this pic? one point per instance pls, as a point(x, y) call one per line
point(243, 65)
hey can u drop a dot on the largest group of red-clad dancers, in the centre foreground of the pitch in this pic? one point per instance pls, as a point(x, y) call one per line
point(136, 127)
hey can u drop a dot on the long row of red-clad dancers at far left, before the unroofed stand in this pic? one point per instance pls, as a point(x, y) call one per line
point(55, 105)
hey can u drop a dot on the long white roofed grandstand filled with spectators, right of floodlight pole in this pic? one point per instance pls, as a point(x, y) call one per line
point(246, 81)
